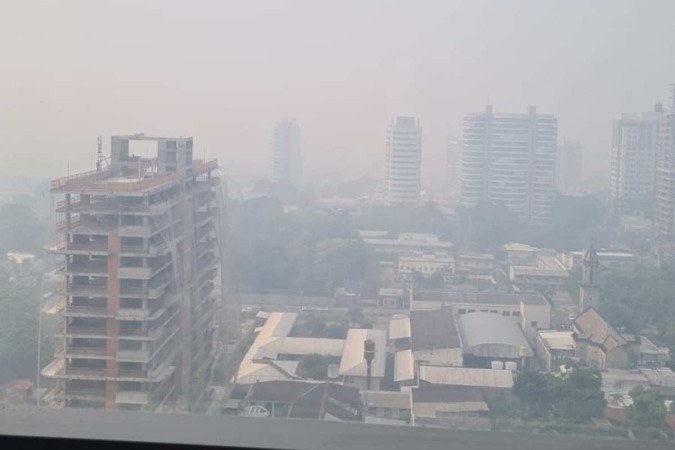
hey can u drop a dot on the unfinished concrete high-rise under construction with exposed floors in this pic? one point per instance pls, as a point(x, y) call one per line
point(140, 240)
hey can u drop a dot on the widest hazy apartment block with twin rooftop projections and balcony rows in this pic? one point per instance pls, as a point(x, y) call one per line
point(510, 159)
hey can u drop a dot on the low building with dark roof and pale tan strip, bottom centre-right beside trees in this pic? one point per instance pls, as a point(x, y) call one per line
point(450, 406)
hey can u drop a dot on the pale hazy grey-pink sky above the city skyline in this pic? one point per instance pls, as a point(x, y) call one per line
point(225, 71)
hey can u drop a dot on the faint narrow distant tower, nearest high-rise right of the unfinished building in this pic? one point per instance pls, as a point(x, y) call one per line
point(287, 157)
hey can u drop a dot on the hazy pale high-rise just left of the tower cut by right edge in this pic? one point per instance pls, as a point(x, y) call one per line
point(633, 161)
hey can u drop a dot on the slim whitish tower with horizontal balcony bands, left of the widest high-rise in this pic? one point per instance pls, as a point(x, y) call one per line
point(403, 162)
